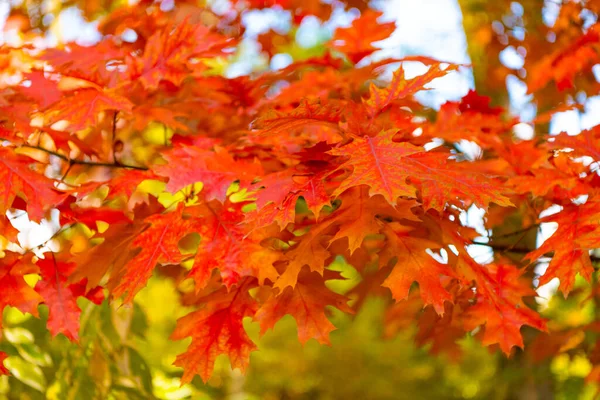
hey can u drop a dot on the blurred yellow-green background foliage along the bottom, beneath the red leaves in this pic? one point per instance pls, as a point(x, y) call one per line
point(125, 353)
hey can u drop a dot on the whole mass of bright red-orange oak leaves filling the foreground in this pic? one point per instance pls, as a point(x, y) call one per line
point(244, 190)
